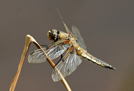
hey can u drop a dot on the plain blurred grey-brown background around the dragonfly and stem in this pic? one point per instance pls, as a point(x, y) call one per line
point(107, 27)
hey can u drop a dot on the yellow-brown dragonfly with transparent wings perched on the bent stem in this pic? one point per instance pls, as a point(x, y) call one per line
point(70, 43)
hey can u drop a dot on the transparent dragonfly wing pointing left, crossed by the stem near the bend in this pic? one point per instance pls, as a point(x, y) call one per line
point(38, 56)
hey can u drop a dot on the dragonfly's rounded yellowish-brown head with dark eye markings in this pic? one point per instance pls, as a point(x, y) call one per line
point(53, 35)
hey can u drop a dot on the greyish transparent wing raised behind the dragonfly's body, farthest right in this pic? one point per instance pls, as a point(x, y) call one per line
point(78, 37)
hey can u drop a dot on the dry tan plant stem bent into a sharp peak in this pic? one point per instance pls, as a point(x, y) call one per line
point(28, 41)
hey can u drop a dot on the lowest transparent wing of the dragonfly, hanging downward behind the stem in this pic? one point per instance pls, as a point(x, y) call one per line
point(66, 66)
